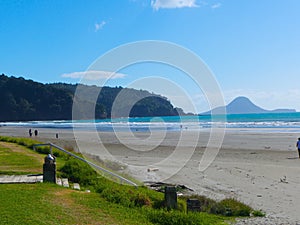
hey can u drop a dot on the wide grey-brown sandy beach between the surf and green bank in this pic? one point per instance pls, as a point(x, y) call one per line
point(261, 169)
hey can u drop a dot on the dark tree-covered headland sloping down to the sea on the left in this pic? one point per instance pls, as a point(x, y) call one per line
point(27, 100)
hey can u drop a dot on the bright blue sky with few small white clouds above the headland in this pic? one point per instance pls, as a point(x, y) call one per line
point(251, 46)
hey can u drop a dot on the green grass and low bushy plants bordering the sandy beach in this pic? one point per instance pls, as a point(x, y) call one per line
point(108, 203)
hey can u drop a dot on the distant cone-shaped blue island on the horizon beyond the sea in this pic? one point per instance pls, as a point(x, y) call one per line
point(242, 105)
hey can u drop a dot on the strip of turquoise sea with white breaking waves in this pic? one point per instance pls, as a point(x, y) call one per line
point(282, 122)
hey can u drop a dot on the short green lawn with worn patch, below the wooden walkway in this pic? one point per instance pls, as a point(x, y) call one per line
point(52, 204)
